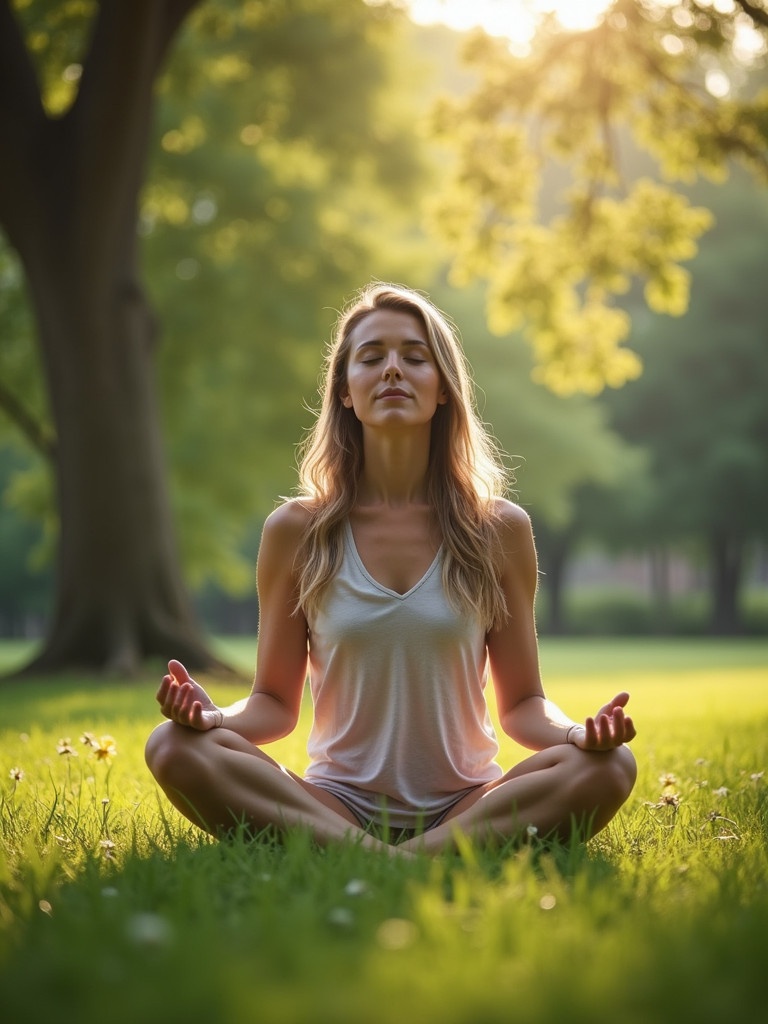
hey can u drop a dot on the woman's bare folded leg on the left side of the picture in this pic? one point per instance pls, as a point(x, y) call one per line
point(219, 780)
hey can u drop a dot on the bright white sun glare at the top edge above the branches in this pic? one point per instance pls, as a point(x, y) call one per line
point(515, 19)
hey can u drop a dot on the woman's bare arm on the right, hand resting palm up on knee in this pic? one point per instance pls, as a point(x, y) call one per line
point(526, 713)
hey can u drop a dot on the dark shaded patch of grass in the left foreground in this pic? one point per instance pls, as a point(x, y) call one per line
point(190, 928)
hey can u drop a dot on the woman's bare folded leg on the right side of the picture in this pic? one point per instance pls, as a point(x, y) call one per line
point(551, 791)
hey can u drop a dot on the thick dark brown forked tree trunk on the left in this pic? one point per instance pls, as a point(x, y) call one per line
point(69, 204)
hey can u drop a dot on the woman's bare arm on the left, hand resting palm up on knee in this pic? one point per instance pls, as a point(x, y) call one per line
point(272, 711)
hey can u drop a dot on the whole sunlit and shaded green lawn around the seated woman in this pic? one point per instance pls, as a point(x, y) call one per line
point(112, 908)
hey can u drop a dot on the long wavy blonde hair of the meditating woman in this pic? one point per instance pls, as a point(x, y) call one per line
point(464, 477)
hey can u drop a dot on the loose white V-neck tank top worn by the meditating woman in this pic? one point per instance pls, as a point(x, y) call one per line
point(402, 730)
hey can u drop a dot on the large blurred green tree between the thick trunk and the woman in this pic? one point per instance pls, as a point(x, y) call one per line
point(283, 193)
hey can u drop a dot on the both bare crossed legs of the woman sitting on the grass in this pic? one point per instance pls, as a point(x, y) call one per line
point(219, 780)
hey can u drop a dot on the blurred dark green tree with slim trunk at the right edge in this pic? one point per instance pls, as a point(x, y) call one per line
point(701, 406)
